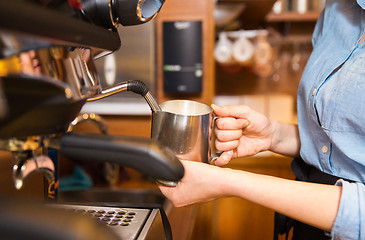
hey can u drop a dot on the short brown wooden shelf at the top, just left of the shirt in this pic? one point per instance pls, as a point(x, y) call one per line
point(293, 17)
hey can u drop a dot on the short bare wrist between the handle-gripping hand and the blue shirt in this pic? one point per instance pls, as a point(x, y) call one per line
point(285, 139)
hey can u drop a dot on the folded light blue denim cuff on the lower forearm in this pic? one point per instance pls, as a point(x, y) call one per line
point(348, 224)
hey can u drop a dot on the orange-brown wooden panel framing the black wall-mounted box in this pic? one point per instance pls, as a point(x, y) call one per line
point(189, 10)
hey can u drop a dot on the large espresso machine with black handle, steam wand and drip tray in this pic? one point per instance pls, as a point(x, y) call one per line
point(47, 74)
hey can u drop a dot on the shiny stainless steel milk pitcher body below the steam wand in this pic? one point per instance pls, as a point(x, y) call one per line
point(186, 128)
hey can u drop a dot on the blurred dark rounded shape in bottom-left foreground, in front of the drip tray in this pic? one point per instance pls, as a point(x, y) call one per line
point(24, 219)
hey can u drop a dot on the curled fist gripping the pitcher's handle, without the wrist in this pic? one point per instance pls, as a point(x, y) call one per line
point(241, 131)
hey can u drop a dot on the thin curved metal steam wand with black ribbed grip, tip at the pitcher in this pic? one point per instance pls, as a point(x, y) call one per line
point(135, 86)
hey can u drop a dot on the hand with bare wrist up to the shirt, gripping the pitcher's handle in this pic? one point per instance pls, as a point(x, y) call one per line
point(242, 131)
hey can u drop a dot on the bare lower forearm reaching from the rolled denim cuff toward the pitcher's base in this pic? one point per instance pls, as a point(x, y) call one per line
point(314, 204)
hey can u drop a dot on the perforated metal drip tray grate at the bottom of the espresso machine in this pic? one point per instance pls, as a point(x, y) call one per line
point(127, 223)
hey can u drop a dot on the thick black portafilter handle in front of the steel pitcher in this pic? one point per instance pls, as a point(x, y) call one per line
point(142, 154)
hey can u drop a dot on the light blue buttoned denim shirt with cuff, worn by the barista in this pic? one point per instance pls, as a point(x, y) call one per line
point(331, 109)
